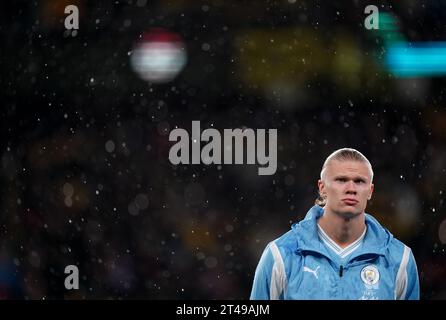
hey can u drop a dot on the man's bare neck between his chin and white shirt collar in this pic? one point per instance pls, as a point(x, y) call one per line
point(341, 229)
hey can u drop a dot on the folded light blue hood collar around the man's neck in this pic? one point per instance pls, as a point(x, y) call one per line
point(375, 242)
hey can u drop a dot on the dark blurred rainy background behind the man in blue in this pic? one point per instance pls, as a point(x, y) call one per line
point(85, 177)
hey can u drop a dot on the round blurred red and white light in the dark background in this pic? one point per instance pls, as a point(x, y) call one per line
point(159, 56)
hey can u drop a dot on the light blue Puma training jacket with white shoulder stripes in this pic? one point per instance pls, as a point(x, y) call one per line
point(298, 265)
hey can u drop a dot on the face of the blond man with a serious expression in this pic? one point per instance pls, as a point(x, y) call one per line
point(347, 186)
